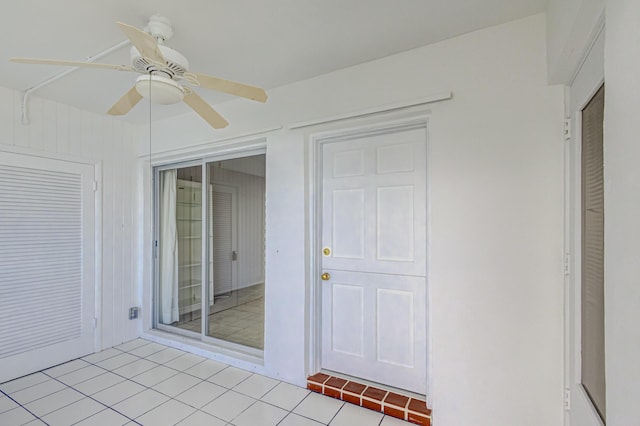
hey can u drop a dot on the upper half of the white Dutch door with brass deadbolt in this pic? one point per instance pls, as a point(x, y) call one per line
point(374, 203)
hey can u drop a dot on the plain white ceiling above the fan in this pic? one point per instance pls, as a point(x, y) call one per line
point(267, 43)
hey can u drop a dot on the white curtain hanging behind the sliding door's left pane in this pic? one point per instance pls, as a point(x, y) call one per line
point(169, 310)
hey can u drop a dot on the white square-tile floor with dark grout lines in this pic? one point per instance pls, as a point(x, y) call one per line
point(144, 383)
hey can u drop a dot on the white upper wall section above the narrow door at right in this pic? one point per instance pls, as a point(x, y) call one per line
point(571, 26)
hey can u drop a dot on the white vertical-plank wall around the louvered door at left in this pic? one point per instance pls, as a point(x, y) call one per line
point(62, 132)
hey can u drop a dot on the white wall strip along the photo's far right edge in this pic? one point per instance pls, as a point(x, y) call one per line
point(622, 207)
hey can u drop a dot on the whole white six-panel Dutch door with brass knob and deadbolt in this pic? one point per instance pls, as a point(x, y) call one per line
point(374, 257)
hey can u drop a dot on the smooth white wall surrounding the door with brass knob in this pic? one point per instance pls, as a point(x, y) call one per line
point(495, 188)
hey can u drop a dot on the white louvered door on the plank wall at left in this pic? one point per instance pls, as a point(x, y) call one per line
point(47, 263)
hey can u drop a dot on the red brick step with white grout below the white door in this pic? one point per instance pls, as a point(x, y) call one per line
point(412, 408)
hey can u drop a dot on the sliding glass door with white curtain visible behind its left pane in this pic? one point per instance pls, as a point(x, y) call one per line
point(210, 229)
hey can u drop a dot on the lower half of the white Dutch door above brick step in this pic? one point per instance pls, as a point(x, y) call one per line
point(374, 328)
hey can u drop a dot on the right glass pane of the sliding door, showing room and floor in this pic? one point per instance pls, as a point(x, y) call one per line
point(236, 246)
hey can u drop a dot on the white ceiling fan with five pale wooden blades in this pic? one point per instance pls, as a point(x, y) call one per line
point(162, 69)
